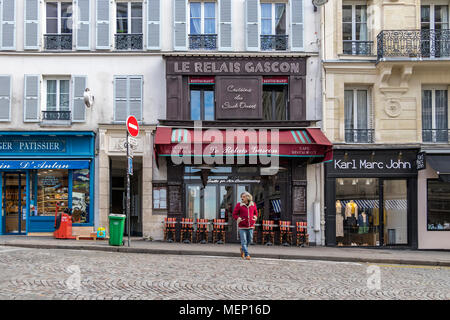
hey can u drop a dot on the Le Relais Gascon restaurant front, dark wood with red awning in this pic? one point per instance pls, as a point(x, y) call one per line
point(237, 124)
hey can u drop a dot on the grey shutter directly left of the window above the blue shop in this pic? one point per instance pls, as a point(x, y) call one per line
point(31, 98)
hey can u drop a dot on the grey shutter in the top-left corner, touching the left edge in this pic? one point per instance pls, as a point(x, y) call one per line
point(8, 25)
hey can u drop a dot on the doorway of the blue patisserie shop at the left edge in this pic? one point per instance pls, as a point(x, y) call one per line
point(14, 202)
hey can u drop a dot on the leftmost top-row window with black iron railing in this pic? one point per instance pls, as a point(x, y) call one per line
point(59, 26)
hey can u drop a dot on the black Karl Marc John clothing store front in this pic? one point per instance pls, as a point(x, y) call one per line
point(371, 198)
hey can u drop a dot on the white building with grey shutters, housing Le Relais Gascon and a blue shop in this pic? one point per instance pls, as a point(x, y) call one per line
point(176, 65)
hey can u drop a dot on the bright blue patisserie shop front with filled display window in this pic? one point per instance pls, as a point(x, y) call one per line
point(42, 172)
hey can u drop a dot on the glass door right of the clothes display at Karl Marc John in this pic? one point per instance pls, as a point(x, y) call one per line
point(395, 203)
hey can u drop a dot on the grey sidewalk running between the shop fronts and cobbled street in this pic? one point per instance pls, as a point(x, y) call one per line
point(138, 245)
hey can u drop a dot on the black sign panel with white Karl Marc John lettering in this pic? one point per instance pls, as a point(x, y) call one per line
point(375, 161)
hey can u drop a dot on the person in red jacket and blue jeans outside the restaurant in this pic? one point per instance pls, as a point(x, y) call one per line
point(246, 214)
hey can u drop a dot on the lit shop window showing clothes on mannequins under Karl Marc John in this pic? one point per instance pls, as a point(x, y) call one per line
point(357, 212)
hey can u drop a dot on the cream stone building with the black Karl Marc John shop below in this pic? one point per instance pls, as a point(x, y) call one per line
point(385, 107)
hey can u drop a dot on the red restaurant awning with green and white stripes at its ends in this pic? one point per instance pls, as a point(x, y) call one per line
point(301, 142)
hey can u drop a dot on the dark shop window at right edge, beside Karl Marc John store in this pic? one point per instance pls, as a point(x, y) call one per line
point(438, 213)
